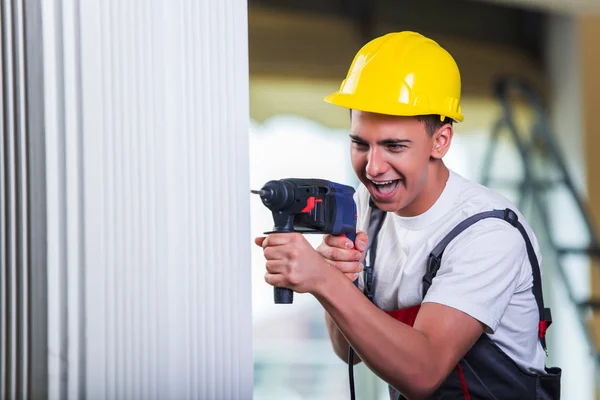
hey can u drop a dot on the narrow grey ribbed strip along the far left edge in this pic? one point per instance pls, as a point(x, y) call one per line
point(14, 199)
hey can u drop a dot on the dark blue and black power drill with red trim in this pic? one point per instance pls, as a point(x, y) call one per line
point(309, 206)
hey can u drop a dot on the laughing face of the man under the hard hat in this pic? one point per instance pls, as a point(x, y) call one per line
point(398, 161)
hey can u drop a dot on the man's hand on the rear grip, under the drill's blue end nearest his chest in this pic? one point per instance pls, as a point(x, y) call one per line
point(344, 255)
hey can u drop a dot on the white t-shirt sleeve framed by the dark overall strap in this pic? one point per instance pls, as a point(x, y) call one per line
point(481, 270)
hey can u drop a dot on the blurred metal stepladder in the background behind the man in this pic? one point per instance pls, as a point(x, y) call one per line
point(543, 170)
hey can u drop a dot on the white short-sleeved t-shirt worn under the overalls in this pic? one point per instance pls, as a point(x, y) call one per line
point(485, 271)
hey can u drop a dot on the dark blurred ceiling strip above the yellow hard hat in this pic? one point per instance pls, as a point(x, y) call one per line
point(490, 21)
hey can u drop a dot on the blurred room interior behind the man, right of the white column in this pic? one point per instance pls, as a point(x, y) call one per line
point(529, 99)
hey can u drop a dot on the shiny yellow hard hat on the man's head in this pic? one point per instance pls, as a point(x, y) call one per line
point(402, 73)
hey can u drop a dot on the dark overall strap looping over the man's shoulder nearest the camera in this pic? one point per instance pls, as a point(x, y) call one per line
point(435, 258)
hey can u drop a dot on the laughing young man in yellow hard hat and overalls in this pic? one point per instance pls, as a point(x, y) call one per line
point(471, 323)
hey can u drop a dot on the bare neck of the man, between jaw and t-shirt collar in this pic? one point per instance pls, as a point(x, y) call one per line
point(435, 182)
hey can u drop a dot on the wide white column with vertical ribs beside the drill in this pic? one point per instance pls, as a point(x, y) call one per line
point(148, 199)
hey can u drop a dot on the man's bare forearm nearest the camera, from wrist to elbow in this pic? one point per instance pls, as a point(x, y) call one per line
point(397, 353)
